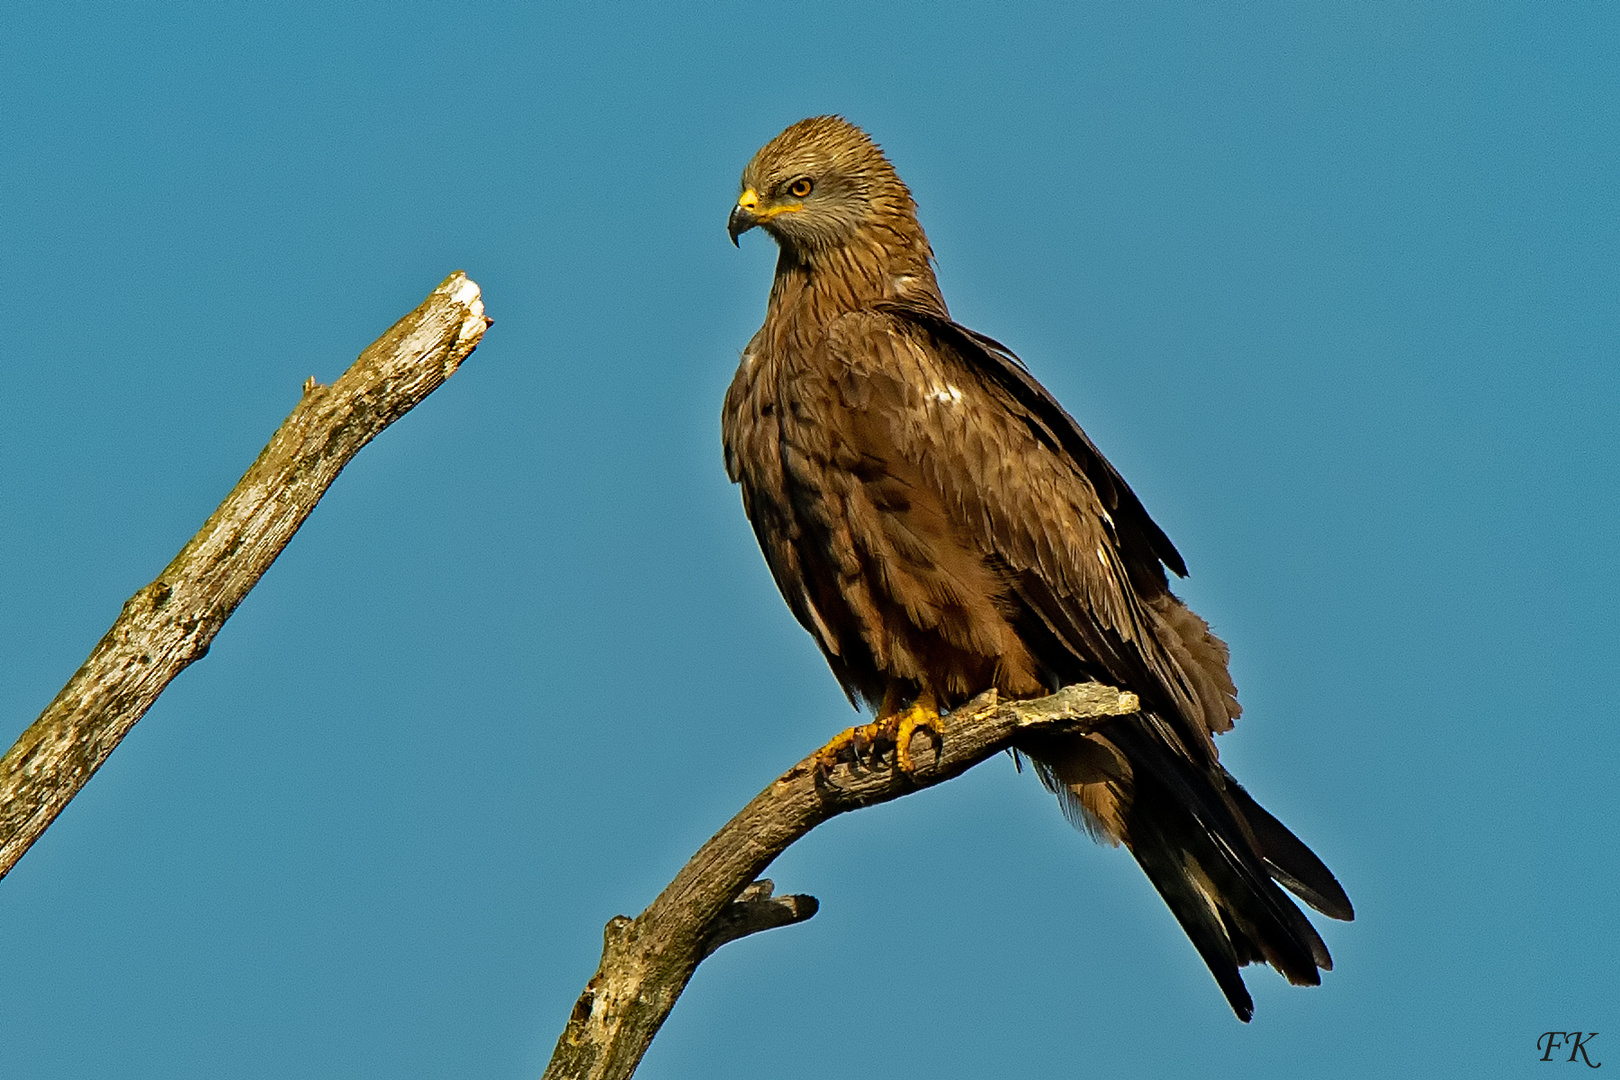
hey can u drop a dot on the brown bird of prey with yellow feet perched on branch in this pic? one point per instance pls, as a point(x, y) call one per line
point(942, 527)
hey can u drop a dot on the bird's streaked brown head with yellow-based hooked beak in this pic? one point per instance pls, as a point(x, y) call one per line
point(819, 185)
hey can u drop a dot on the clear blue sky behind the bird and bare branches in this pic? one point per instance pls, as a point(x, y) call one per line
point(1337, 287)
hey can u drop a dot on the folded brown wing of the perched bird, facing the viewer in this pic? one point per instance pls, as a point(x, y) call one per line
point(1039, 500)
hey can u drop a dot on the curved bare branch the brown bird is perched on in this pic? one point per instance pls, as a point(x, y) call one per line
point(717, 898)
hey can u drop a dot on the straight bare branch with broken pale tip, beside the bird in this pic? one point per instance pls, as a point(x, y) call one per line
point(171, 623)
